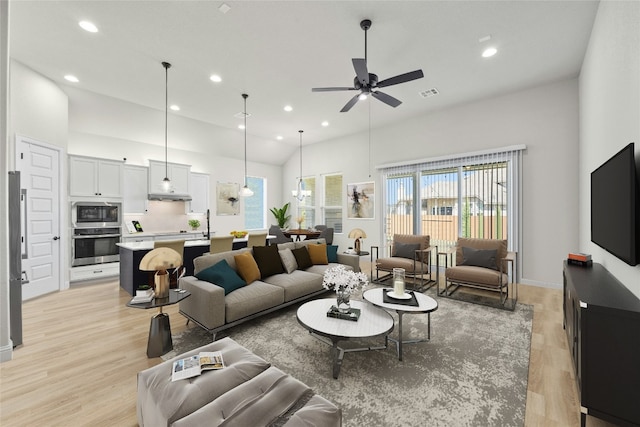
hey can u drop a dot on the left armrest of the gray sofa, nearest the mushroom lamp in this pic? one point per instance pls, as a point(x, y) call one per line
point(206, 303)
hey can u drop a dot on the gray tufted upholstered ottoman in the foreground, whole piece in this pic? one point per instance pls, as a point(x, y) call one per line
point(248, 391)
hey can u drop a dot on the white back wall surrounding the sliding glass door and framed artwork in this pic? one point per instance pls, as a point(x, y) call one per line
point(543, 118)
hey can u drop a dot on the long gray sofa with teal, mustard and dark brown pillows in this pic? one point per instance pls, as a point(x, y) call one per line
point(286, 273)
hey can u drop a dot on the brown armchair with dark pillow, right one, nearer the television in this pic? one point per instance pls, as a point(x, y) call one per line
point(484, 264)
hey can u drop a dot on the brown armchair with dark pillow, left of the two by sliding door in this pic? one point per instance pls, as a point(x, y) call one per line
point(408, 251)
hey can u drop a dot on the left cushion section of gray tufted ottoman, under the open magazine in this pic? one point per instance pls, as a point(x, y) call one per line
point(161, 401)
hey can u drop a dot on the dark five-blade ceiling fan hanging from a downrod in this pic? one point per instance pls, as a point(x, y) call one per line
point(367, 82)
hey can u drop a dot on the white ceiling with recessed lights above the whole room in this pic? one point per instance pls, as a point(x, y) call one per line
point(276, 51)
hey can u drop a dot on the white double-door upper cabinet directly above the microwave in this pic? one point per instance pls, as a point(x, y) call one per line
point(93, 177)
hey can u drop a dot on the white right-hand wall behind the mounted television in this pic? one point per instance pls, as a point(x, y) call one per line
point(609, 112)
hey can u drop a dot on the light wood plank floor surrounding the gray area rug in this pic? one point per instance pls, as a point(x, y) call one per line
point(83, 347)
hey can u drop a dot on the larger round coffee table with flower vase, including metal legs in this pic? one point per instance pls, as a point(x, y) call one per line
point(373, 322)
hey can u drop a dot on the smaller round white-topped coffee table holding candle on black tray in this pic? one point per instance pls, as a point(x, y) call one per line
point(425, 305)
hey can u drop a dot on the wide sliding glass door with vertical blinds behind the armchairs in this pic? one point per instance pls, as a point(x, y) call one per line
point(470, 196)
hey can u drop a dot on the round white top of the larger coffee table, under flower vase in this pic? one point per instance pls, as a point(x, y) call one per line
point(372, 322)
